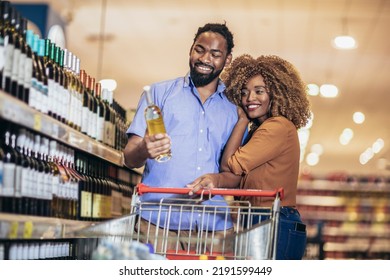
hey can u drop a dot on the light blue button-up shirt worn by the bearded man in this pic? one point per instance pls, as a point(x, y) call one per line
point(198, 134)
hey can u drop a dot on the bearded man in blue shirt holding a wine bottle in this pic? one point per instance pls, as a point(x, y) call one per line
point(198, 119)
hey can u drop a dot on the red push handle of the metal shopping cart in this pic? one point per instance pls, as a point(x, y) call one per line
point(142, 189)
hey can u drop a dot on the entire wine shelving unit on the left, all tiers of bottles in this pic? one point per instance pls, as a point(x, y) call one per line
point(61, 141)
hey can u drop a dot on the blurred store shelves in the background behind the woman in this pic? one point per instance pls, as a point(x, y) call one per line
point(346, 221)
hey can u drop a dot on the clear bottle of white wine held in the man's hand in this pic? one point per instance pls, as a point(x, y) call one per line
point(155, 122)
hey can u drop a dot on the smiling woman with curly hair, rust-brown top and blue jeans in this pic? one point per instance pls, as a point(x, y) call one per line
point(271, 97)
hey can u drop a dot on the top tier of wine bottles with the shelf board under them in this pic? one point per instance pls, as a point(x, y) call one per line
point(48, 79)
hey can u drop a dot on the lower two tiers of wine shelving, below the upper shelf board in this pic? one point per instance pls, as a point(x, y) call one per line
point(49, 191)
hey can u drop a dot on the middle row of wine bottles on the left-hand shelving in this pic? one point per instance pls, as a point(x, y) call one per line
point(42, 177)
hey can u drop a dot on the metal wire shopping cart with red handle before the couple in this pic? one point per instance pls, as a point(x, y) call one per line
point(202, 238)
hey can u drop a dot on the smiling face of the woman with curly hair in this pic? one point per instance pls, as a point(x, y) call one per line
point(255, 98)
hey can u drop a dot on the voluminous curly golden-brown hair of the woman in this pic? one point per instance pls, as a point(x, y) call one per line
point(283, 83)
